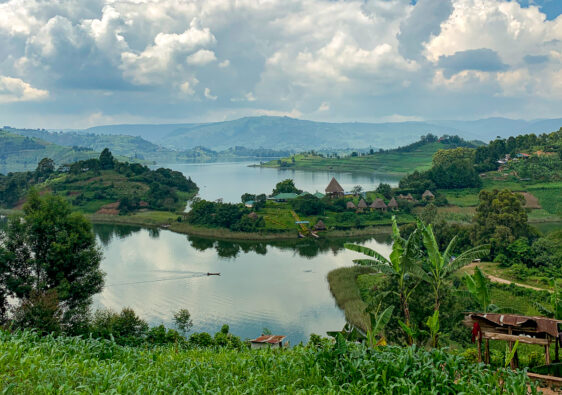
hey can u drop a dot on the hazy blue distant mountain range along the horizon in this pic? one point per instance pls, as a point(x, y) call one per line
point(283, 133)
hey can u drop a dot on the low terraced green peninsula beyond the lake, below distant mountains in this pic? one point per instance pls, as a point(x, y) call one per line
point(399, 161)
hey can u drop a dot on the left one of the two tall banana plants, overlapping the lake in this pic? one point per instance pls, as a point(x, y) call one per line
point(404, 263)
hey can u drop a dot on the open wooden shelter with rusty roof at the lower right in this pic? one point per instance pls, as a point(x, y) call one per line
point(539, 331)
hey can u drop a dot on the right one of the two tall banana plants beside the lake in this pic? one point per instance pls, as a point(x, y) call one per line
point(441, 265)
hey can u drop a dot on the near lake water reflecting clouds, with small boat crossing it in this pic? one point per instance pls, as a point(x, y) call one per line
point(281, 286)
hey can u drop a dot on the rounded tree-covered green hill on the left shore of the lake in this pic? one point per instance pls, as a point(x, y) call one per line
point(104, 186)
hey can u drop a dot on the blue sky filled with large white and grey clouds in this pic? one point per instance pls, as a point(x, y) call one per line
point(81, 63)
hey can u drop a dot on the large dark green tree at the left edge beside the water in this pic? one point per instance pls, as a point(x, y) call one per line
point(51, 248)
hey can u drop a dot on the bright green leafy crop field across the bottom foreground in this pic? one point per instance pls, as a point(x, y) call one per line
point(41, 365)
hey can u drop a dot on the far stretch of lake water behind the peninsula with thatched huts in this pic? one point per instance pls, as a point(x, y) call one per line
point(230, 180)
